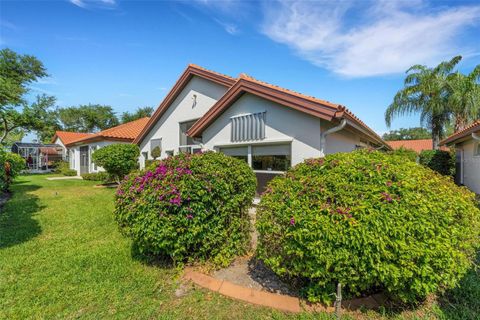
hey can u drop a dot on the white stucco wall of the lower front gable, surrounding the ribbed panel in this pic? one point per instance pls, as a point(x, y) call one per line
point(282, 124)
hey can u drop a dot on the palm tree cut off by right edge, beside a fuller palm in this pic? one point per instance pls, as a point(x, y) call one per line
point(464, 97)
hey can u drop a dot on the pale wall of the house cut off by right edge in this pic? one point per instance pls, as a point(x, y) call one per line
point(471, 165)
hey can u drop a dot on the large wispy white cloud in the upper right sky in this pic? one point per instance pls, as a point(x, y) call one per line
point(358, 39)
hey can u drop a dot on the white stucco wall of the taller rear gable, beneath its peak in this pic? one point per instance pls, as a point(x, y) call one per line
point(182, 109)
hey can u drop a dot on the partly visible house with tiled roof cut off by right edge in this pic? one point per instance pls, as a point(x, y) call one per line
point(466, 143)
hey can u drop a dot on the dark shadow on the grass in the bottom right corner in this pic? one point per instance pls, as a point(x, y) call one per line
point(463, 302)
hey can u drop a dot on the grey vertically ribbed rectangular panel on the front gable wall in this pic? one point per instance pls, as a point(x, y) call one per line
point(248, 127)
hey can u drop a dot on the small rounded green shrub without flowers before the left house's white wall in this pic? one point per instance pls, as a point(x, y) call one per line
point(117, 159)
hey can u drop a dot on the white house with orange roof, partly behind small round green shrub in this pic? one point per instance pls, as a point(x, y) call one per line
point(80, 150)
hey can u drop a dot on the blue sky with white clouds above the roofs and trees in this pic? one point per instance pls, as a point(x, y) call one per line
point(128, 54)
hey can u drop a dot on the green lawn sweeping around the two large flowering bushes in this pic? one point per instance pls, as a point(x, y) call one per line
point(61, 256)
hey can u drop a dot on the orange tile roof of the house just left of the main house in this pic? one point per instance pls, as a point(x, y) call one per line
point(124, 132)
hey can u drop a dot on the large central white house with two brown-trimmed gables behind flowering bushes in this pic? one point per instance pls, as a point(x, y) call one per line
point(269, 127)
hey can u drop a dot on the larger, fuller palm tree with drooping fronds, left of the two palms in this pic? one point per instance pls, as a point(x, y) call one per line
point(425, 92)
